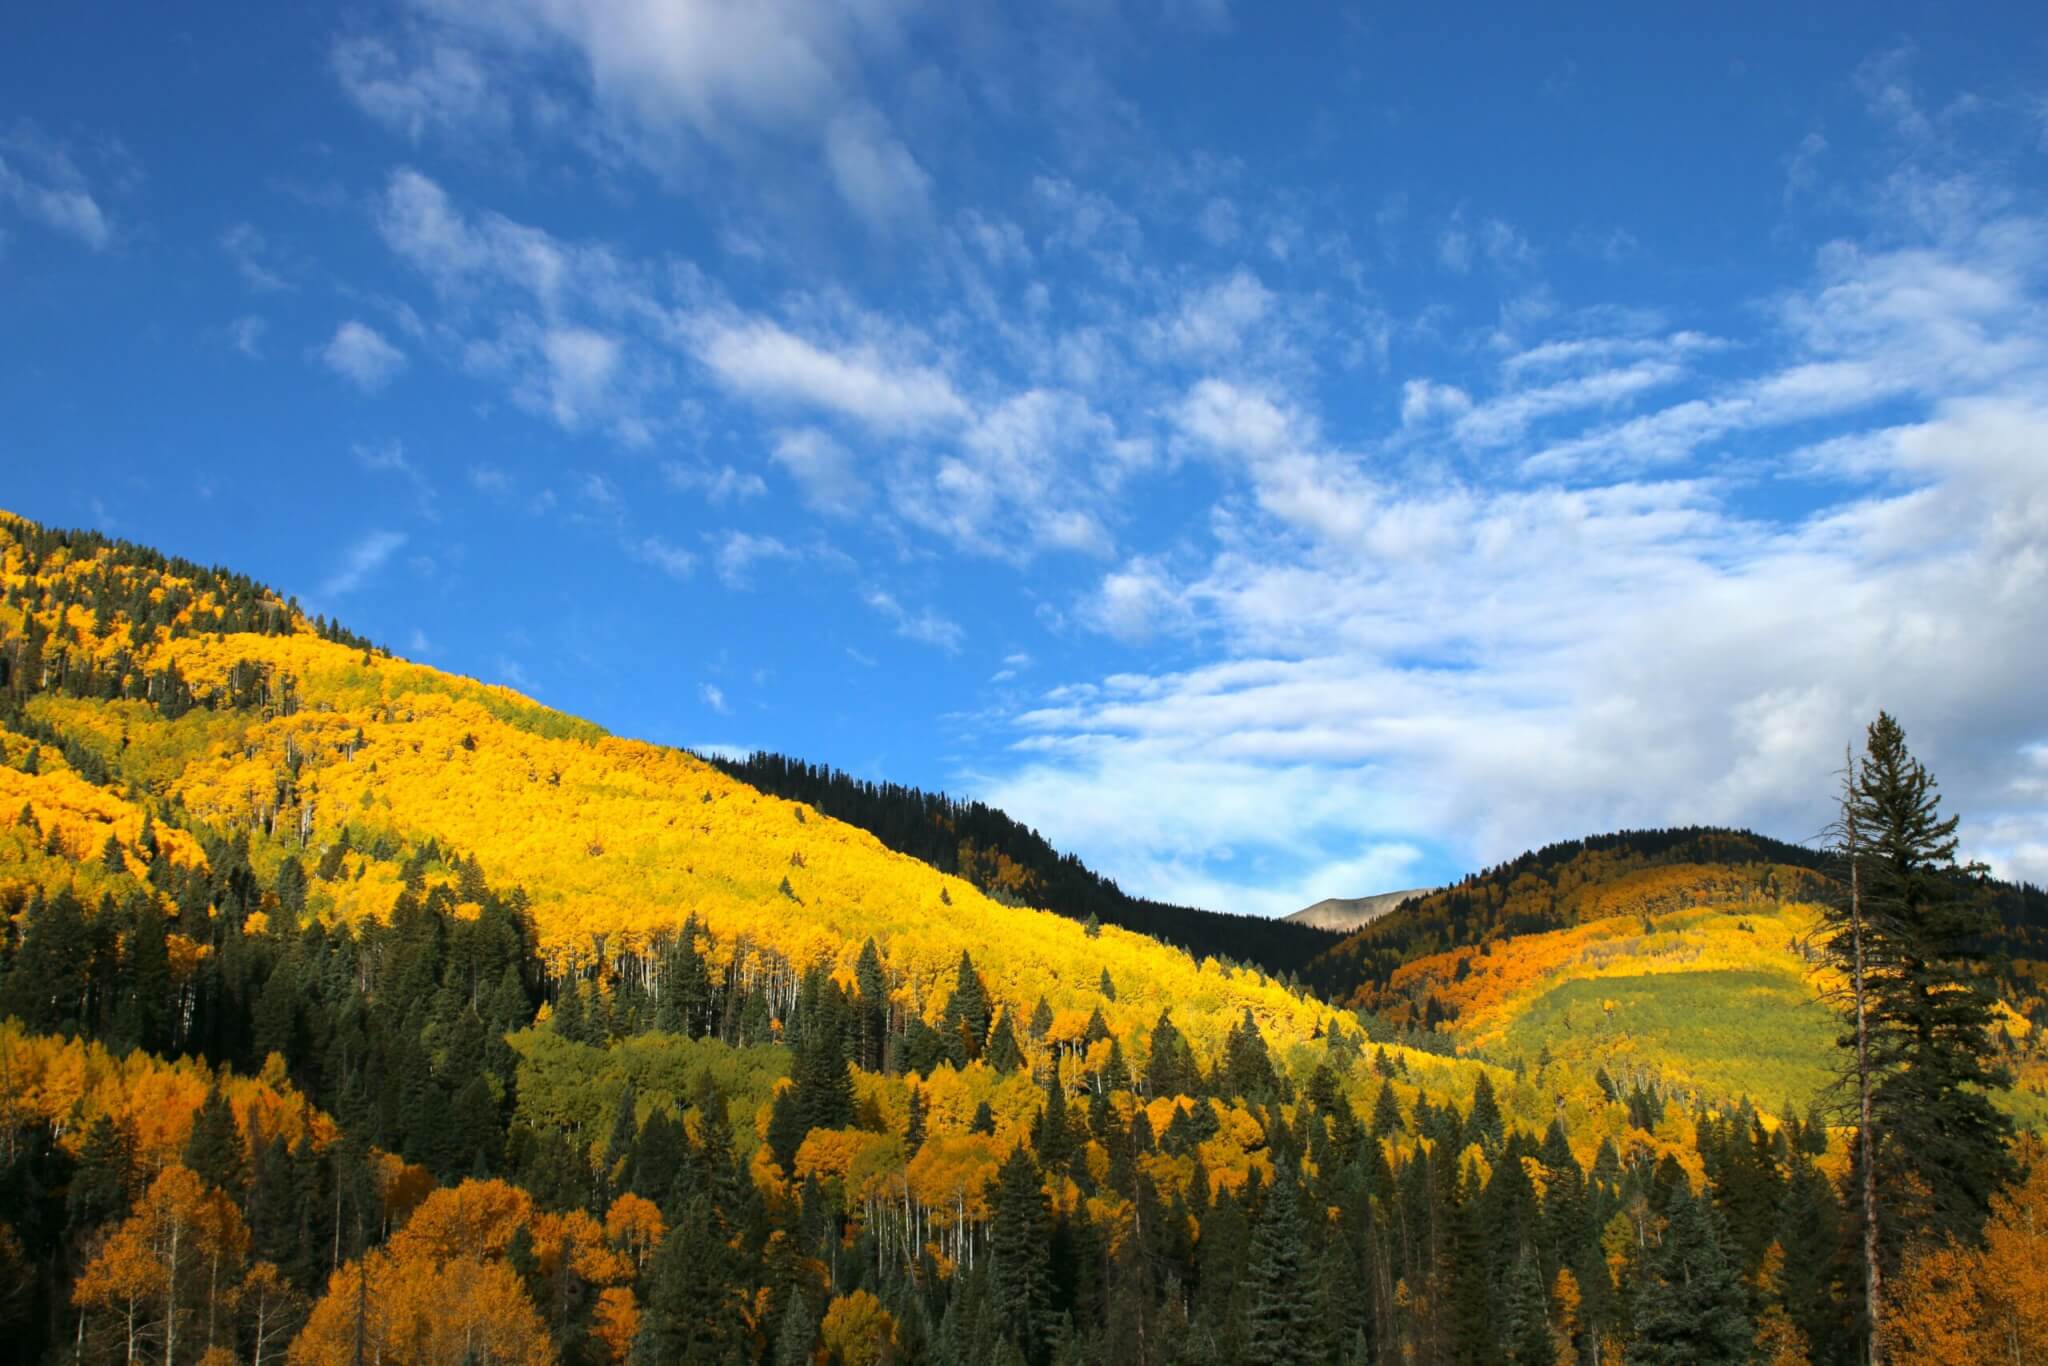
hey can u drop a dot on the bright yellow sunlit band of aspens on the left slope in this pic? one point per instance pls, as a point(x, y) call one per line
point(613, 841)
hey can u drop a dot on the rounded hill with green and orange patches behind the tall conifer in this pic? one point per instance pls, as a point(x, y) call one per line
point(1680, 955)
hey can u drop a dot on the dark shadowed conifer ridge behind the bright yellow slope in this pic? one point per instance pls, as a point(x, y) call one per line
point(1015, 865)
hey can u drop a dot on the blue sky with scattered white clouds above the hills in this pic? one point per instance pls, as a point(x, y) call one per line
point(1281, 452)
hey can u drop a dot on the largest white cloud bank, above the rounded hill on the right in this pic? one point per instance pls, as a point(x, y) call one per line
point(1562, 642)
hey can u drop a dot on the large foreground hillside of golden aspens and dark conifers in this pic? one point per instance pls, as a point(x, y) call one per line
point(364, 1013)
